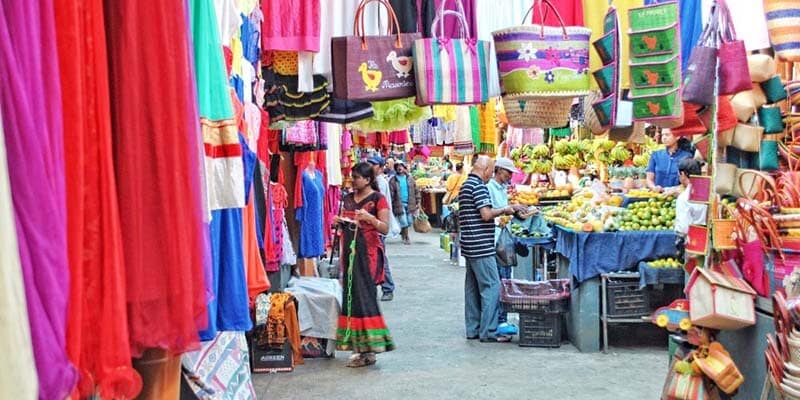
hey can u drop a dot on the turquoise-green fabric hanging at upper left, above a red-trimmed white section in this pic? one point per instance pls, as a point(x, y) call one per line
point(210, 73)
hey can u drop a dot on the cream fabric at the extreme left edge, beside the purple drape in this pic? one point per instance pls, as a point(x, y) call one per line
point(18, 380)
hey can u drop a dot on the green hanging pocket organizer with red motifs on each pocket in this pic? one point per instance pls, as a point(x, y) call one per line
point(654, 40)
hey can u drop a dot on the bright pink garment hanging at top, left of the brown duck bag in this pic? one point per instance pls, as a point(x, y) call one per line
point(291, 25)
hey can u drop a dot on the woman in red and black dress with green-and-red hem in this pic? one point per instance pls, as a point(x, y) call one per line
point(361, 328)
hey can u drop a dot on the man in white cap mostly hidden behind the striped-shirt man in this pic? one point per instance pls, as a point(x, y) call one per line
point(503, 170)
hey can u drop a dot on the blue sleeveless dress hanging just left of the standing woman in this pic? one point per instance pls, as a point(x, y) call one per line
point(311, 216)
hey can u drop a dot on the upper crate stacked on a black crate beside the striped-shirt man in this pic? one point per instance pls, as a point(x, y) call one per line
point(527, 296)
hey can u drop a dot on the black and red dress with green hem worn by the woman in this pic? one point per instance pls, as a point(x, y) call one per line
point(361, 327)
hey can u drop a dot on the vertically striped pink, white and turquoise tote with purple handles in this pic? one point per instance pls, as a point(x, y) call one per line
point(452, 71)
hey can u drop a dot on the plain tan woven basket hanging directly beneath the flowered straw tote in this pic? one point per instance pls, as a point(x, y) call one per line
point(544, 112)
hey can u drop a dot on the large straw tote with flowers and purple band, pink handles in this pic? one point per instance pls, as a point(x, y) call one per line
point(543, 61)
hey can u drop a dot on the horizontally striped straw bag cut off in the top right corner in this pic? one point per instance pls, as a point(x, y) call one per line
point(783, 23)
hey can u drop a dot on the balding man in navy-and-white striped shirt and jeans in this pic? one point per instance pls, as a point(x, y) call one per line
point(482, 283)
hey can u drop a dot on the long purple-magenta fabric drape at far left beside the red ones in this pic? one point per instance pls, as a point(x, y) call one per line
point(30, 97)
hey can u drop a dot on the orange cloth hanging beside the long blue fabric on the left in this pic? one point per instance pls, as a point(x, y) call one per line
point(257, 281)
